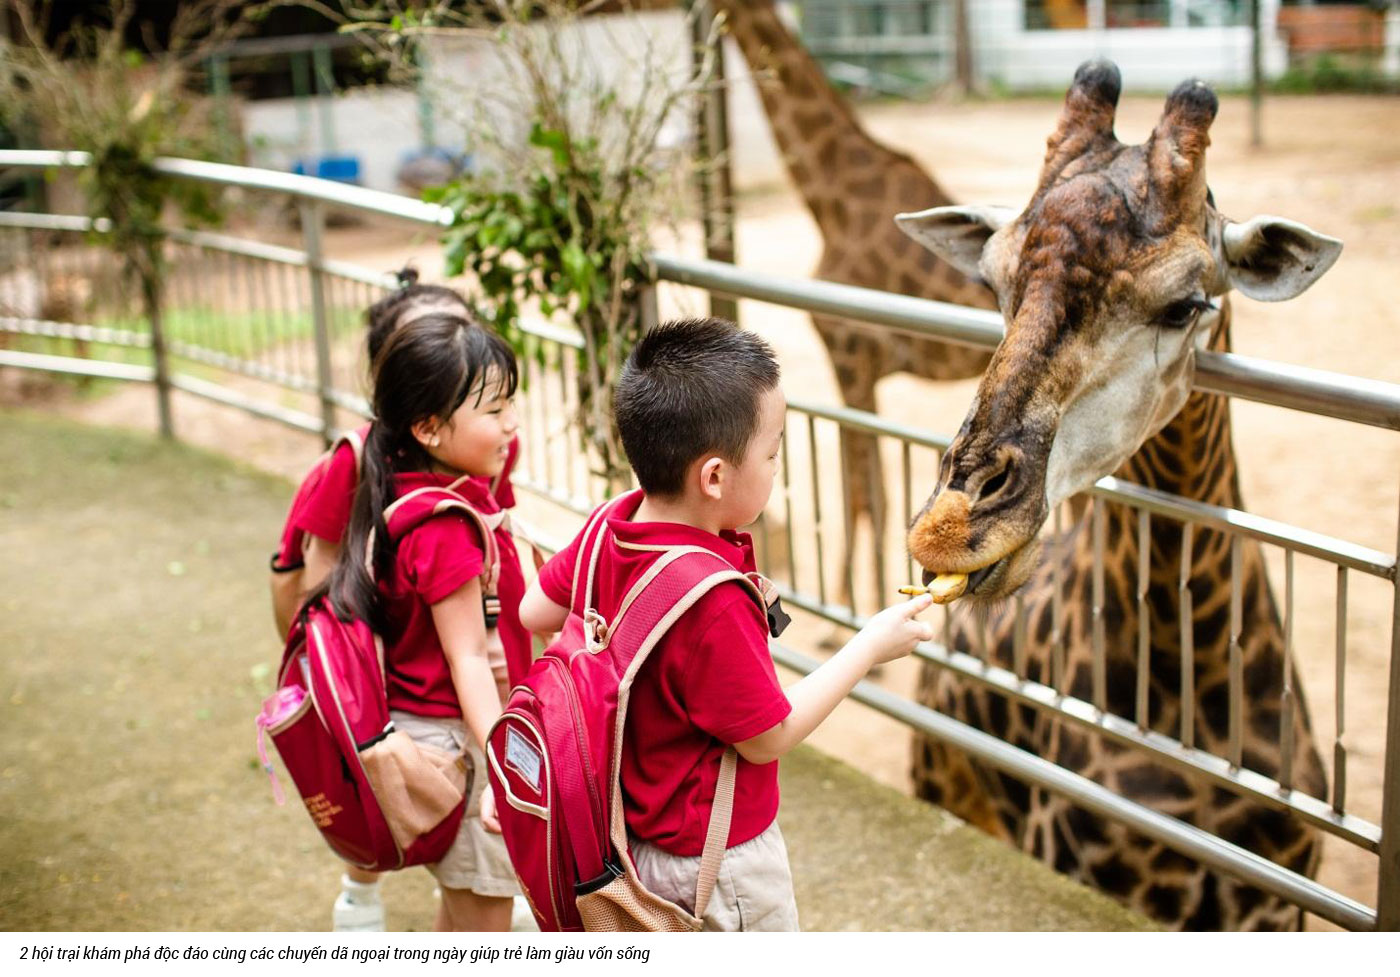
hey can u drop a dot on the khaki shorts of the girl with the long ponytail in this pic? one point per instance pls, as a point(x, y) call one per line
point(478, 860)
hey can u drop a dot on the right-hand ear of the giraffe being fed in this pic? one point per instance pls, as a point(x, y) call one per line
point(1272, 260)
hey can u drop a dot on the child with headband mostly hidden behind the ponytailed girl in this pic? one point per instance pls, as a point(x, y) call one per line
point(321, 512)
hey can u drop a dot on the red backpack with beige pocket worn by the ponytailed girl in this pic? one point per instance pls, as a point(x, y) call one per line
point(380, 800)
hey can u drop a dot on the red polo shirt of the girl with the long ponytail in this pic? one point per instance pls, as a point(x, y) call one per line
point(432, 562)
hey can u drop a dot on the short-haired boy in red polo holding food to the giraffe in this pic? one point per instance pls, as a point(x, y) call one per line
point(701, 416)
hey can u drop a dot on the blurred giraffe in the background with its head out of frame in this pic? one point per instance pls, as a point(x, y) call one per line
point(850, 184)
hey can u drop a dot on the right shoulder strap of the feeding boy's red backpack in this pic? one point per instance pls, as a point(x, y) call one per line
point(671, 587)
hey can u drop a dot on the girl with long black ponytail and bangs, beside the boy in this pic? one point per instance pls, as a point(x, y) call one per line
point(444, 418)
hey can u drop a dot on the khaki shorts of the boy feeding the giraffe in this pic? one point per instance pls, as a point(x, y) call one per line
point(754, 892)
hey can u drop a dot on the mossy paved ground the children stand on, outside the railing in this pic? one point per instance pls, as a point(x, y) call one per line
point(138, 646)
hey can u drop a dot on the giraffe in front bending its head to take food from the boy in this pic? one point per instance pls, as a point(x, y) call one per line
point(1109, 281)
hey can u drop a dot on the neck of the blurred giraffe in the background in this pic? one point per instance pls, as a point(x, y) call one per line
point(821, 139)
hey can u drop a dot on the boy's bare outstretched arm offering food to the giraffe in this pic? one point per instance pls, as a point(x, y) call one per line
point(890, 635)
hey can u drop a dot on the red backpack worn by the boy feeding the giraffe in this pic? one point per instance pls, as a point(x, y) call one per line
point(555, 755)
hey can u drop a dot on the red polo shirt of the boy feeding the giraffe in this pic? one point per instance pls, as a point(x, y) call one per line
point(709, 682)
